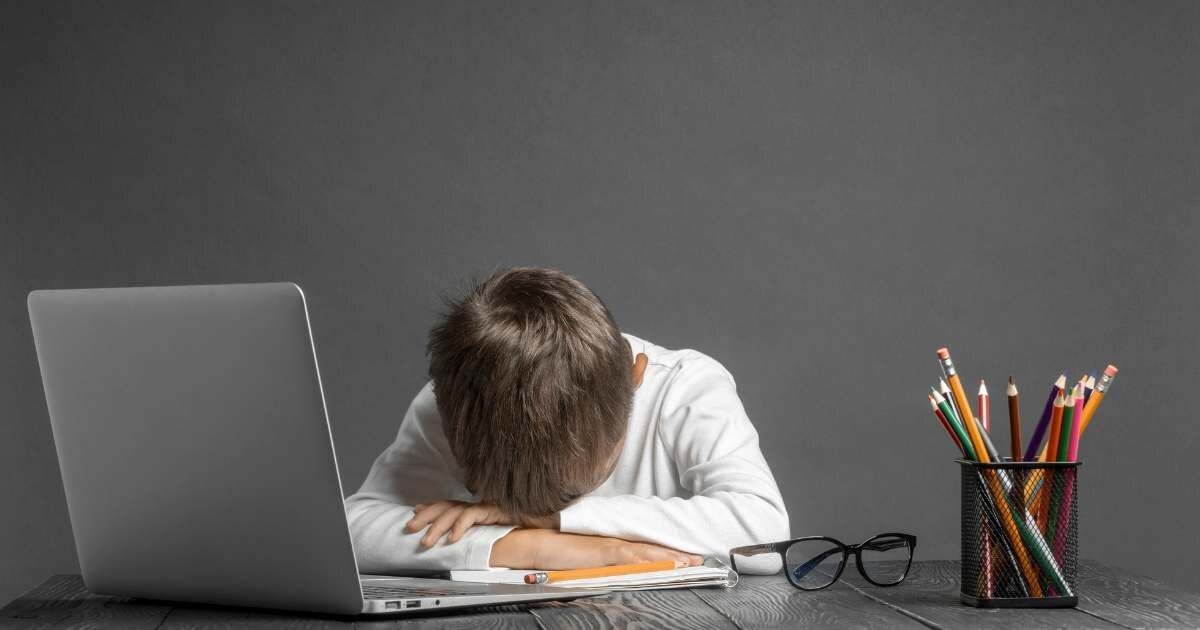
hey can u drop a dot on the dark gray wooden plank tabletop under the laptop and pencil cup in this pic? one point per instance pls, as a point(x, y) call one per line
point(929, 598)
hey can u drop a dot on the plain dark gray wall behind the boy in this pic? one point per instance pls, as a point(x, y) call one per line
point(818, 195)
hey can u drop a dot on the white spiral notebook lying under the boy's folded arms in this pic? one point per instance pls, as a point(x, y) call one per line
point(711, 574)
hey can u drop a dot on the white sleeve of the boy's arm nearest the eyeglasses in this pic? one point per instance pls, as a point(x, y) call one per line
point(735, 500)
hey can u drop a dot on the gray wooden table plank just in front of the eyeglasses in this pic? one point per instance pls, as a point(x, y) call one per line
point(771, 602)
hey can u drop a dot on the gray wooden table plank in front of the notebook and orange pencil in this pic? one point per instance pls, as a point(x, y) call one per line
point(677, 609)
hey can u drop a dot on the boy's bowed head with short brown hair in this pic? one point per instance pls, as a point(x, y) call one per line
point(535, 385)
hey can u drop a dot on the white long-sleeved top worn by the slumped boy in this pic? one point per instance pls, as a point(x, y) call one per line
point(691, 477)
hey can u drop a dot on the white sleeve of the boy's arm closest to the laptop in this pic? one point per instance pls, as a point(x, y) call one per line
point(417, 469)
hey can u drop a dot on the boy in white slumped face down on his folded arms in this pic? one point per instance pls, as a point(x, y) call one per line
point(548, 440)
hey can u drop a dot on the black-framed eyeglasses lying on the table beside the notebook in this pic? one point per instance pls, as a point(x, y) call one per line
point(813, 563)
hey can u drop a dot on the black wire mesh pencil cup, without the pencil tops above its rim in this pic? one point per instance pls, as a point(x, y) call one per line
point(1019, 535)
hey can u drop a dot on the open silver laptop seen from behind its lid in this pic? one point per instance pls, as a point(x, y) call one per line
point(197, 458)
